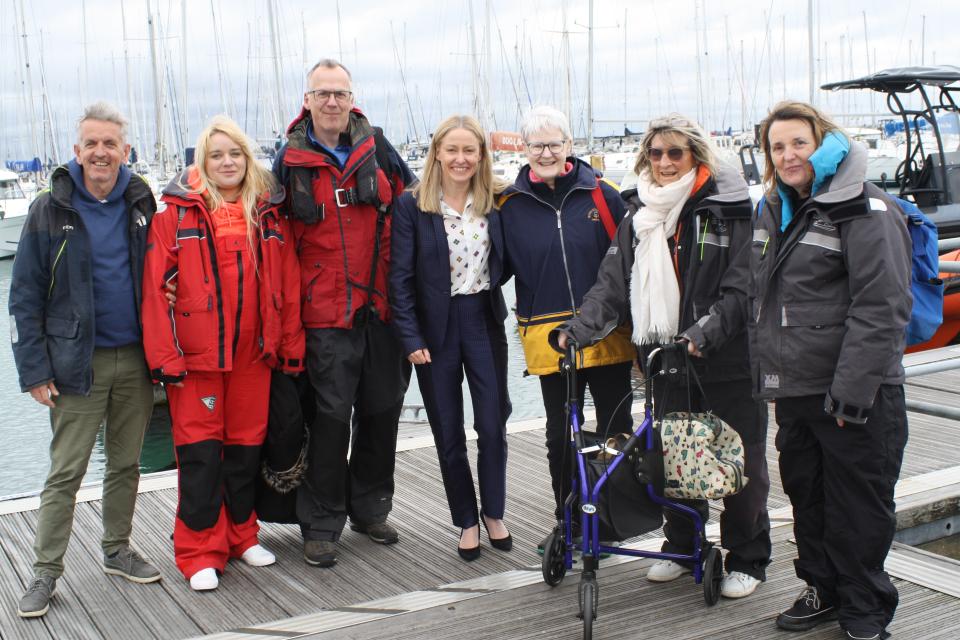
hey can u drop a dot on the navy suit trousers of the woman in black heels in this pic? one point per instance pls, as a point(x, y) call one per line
point(475, 344)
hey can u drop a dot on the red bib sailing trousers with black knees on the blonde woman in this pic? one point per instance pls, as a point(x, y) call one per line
point(219, 423)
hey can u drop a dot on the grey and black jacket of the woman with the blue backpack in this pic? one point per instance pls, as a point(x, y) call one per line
point(830, 295)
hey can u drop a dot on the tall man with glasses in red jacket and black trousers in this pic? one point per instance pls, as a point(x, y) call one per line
point(341, 177)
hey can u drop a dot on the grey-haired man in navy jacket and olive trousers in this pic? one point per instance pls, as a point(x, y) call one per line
point(76, 332)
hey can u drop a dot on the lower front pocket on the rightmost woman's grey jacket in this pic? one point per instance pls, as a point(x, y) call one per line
point(812, 334)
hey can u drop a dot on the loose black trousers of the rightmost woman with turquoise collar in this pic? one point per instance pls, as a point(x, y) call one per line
point(840, 481)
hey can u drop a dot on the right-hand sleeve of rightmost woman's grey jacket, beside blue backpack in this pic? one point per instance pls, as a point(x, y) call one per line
point(876, 252)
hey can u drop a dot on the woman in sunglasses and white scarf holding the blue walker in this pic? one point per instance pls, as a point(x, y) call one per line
point(681, 271)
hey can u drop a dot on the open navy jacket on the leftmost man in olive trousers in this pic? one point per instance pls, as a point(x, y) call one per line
point(51, 291)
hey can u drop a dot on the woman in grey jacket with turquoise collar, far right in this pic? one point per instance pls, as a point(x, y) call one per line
point(830, 298)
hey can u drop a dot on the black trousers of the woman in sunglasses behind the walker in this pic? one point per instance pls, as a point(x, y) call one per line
point(744, 523)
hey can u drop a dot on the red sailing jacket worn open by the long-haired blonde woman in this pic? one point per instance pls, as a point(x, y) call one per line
point(196, 334)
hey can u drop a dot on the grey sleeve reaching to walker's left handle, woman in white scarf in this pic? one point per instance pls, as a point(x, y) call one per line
point(606, 306)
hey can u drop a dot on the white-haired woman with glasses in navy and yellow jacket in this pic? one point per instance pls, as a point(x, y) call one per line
point(558, 218)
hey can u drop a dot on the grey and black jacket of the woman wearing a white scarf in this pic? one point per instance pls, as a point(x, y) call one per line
point(712, 260)
